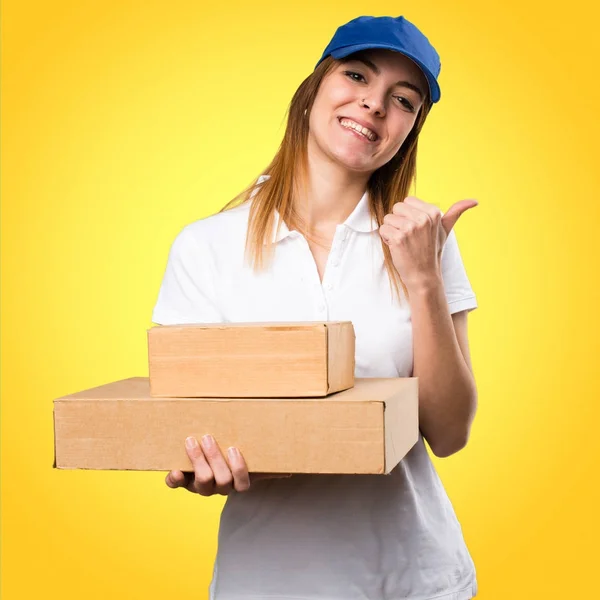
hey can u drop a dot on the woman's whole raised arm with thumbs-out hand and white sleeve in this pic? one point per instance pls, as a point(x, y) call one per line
point(426, 256)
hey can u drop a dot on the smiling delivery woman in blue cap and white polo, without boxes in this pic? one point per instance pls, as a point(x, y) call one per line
point(332, 235)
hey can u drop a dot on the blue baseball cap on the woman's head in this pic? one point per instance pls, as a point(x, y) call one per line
point(392, 33)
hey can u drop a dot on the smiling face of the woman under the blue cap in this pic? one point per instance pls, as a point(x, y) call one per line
point(365, 108)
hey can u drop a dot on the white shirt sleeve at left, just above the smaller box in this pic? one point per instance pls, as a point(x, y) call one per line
point(186, 293)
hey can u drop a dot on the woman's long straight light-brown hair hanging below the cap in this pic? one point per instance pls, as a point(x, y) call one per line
point(386, 186)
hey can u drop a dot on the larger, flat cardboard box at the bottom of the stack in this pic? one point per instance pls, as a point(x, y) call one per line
point(366, 429)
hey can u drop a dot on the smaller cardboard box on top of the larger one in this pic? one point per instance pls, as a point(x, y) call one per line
point(245, 360)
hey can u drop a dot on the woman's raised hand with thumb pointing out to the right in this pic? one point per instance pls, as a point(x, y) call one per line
point(416, 232)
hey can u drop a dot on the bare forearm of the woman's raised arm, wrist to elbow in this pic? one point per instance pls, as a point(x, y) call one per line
point(447, 390)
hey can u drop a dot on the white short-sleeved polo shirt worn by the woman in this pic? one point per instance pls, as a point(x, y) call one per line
point(325, 537)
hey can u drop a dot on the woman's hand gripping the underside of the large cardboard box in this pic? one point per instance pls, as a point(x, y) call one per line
point(212, 474)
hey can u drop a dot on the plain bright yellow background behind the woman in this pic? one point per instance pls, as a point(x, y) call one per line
point(123, 121)
